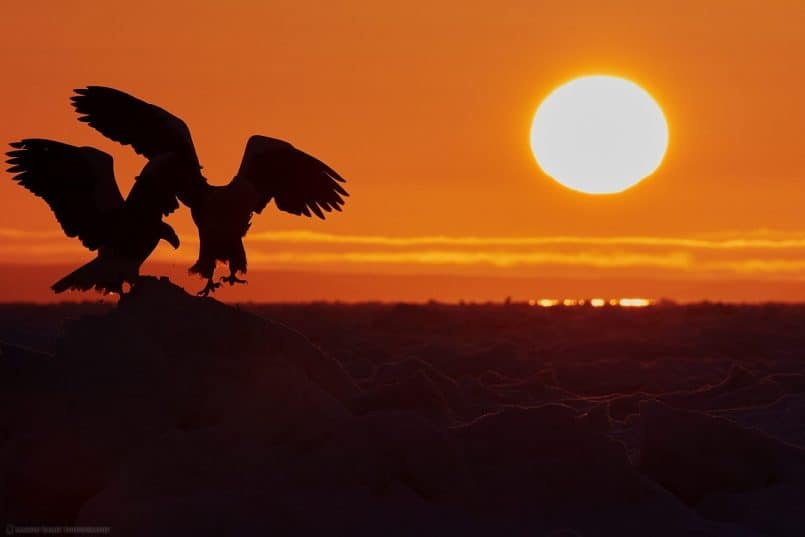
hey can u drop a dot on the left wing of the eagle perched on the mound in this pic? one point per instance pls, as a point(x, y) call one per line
point(78, 183)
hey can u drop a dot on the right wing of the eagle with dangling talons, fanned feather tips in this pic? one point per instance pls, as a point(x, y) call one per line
point(298, 183)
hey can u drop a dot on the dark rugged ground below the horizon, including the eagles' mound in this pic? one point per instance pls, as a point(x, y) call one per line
point(173, 415)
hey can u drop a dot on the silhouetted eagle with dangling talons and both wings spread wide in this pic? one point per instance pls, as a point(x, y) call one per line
point(271, 169)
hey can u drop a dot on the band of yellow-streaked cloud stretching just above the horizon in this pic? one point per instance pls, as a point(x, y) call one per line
point(762, 253)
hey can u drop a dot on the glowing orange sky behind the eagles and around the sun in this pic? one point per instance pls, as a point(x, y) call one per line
point(425, 108)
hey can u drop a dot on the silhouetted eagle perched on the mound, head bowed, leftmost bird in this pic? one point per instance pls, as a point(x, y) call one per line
point(78, 183)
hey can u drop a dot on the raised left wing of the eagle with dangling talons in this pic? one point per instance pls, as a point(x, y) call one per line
point(149, 129)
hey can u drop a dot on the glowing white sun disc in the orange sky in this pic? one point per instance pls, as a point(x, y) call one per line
point(599, 134)
